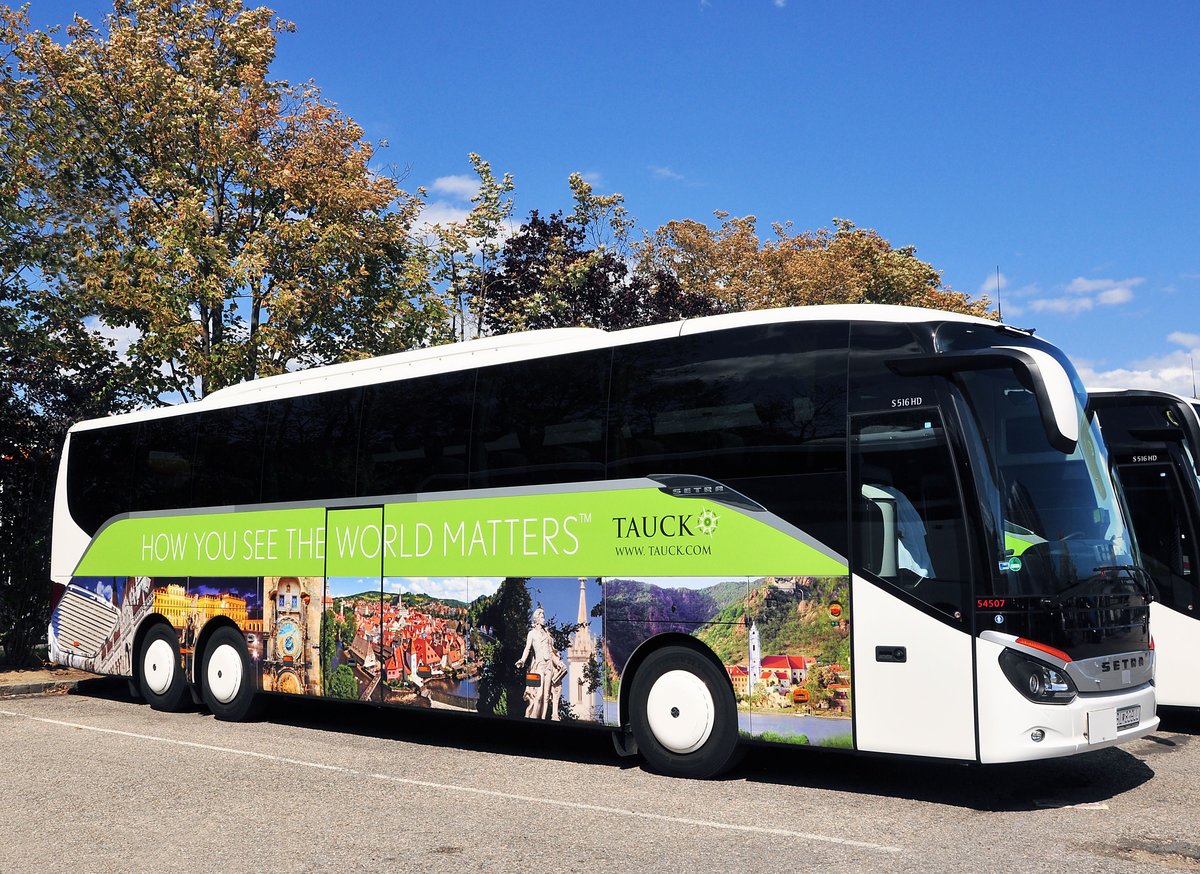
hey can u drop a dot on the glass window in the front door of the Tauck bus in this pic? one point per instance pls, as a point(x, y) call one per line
point(908, 519)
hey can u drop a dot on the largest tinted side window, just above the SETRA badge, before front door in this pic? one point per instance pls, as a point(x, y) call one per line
point(763, 410)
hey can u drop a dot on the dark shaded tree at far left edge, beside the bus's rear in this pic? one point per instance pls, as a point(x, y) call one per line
point(53, 372)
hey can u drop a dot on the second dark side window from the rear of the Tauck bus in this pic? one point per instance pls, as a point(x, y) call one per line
point(163, 468)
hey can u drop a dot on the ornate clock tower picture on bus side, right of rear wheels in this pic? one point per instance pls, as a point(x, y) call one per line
point(292, 636)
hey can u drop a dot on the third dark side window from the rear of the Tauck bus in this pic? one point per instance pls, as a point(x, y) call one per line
point(230, 457)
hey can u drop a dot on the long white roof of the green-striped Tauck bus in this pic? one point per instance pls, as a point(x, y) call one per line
point(514, 348)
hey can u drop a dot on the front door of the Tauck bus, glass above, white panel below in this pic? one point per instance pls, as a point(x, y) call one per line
point(914, 675)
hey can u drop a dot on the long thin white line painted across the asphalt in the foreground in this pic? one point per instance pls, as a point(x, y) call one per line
point(475, 791)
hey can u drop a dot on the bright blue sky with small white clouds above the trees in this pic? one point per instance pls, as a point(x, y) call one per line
point(1058, 142)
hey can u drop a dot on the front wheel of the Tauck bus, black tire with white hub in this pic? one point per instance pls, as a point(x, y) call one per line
point(683, 715)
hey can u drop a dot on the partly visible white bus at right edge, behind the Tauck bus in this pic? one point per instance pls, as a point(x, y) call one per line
point(1154, 441)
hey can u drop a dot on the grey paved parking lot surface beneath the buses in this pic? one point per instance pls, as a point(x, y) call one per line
point(95, 782)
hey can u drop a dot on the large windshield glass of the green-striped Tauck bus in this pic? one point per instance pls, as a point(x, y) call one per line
point(1055, 520)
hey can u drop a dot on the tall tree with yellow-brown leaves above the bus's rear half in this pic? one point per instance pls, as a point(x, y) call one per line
point(231, 223)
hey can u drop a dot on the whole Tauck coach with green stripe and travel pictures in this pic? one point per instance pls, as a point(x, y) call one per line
point(863, 528)
